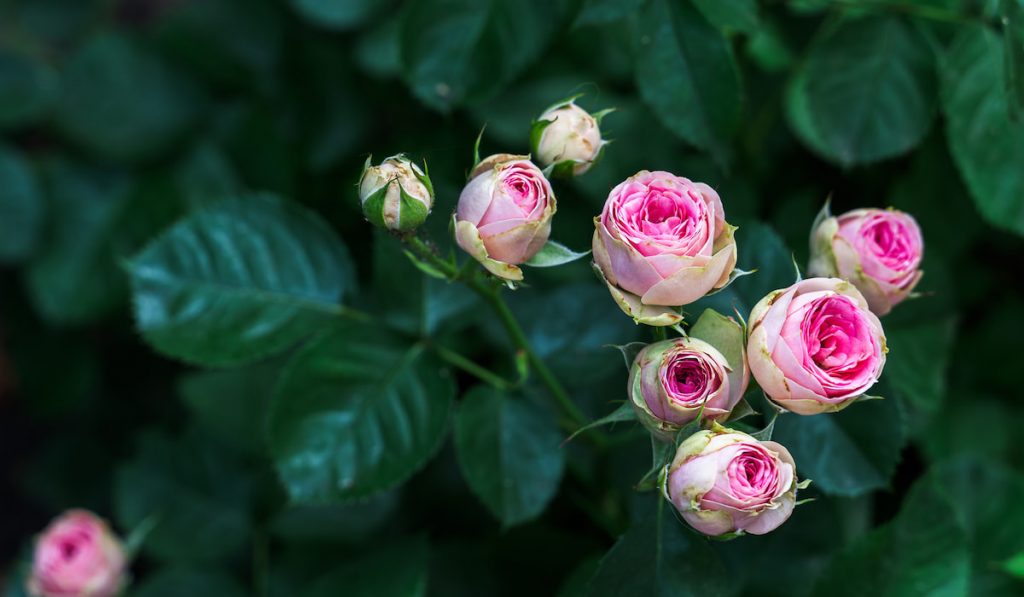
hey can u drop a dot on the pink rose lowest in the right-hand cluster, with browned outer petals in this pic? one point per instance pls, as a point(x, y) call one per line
point(726, 482)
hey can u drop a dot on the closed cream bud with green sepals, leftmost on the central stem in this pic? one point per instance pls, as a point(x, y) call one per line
point(396, 195)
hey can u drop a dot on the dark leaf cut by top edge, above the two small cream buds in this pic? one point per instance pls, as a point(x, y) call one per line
point(463, 52)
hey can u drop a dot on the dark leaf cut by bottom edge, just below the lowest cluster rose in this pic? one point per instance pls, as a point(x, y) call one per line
point(658, 557)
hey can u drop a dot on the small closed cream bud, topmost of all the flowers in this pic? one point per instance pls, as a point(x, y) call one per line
point(568, 138)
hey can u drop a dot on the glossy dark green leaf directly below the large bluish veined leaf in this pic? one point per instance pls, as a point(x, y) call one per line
point(357, 412)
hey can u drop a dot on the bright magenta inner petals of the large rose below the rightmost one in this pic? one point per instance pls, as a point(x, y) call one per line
point(839, 342)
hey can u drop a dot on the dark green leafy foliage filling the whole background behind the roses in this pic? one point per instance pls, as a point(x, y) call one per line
point(121, 117)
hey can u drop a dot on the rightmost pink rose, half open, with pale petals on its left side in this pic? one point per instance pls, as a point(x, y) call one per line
point(878, 250)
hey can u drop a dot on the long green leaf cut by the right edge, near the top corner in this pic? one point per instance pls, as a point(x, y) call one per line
point(986, 144)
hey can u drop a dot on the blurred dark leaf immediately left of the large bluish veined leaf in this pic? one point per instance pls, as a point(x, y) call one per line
point(74, 277)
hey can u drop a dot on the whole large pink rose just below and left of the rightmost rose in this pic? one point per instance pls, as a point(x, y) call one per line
point(816, 348)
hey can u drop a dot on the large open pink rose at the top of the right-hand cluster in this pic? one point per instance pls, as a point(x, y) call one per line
point(663, 242)
